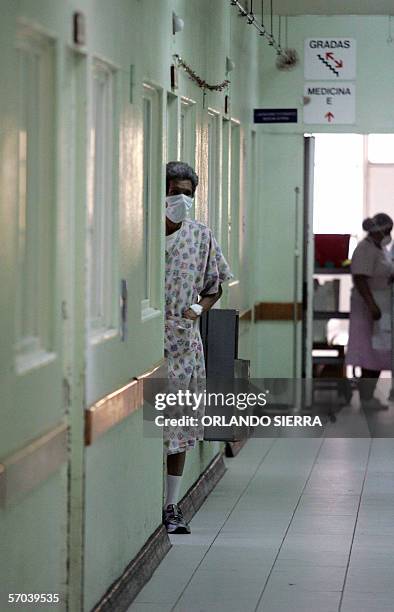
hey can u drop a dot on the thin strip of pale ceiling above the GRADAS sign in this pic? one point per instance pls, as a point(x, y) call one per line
point(325, 7)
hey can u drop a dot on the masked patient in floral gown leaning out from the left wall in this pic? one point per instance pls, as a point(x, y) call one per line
point(195, 270)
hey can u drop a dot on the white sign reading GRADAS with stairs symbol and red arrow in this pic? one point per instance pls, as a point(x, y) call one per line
point(330, 58)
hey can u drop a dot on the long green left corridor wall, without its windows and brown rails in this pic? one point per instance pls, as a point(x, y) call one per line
point(112, 489)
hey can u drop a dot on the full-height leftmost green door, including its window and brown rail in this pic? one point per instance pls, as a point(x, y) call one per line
point(33, 518)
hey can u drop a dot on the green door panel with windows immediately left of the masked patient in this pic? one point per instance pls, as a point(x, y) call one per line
point(129, 214)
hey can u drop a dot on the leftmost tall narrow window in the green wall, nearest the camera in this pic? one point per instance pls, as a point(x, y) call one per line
point(36, 220)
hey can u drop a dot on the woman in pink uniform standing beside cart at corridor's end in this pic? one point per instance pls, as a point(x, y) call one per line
point(372, 272)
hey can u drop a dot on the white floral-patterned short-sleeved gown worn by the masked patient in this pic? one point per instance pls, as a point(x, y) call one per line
point(195, 266)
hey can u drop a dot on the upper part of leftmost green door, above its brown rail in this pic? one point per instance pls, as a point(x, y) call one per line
point(32, 349)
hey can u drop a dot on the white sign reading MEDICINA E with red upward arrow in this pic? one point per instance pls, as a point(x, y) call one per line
point(329, 103)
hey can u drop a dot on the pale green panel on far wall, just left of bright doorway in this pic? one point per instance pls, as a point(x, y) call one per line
point(280, 222)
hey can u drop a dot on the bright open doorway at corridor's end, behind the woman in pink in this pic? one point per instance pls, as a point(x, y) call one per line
point(350, 177)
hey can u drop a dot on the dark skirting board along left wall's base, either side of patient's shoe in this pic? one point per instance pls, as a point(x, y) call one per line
point(122, 592)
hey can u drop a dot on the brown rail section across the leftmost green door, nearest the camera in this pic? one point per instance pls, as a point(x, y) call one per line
point(27, 468)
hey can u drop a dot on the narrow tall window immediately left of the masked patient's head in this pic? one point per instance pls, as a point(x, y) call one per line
point(152, 206)
